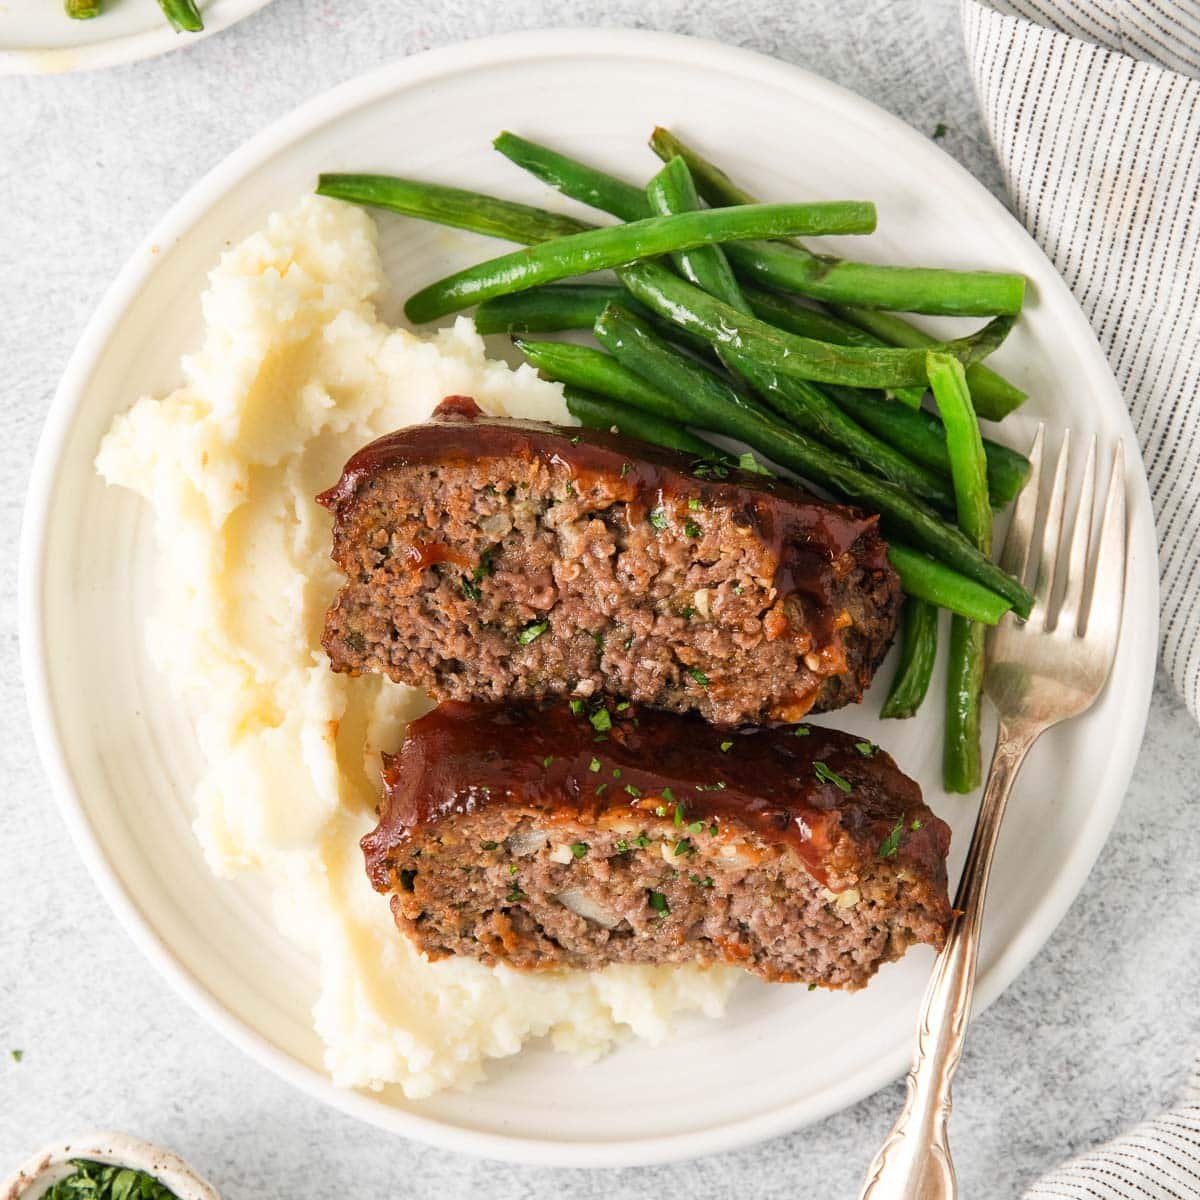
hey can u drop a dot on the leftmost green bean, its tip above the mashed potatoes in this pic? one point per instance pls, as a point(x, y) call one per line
point(452, 207)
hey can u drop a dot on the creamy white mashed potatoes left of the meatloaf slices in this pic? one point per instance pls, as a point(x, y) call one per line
point(296, 374)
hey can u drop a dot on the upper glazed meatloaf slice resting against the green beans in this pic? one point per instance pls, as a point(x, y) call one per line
point(490, 560)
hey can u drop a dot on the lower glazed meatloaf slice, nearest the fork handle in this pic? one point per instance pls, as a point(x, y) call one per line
point(562, 836)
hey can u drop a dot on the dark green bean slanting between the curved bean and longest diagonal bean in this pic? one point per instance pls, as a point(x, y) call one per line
point(809, 409)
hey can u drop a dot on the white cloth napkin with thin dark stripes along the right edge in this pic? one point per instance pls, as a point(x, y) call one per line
point(1095, 111)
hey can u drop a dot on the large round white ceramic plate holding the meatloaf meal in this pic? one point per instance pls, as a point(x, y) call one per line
point(121, 751)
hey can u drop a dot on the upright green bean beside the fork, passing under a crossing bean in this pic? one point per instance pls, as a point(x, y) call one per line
point(963, 755)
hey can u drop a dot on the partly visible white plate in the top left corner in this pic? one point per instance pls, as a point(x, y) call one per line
point(38, 38)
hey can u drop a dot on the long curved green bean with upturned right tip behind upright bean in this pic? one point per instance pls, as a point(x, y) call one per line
point(857, 367)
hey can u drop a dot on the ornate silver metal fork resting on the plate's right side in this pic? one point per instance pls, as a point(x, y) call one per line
point(1039, 673)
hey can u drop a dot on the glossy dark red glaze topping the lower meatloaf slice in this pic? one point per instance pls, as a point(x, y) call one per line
point(461, 758)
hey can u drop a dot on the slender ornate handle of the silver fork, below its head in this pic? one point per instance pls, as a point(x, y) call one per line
point(915, 1161)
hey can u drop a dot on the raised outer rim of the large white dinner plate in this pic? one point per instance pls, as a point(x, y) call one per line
point(397, 75)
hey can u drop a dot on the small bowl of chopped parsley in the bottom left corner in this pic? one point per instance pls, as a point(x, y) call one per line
point(106, 1167)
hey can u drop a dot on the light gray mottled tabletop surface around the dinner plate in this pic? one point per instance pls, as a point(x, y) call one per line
point(1097, 1034)
